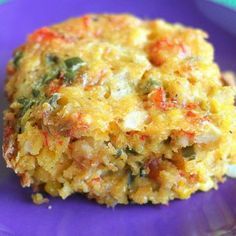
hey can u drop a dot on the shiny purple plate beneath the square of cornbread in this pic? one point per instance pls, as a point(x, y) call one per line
point(211, 213)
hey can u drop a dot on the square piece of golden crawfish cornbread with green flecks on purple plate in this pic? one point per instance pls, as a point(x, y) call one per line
point(120, 109)
